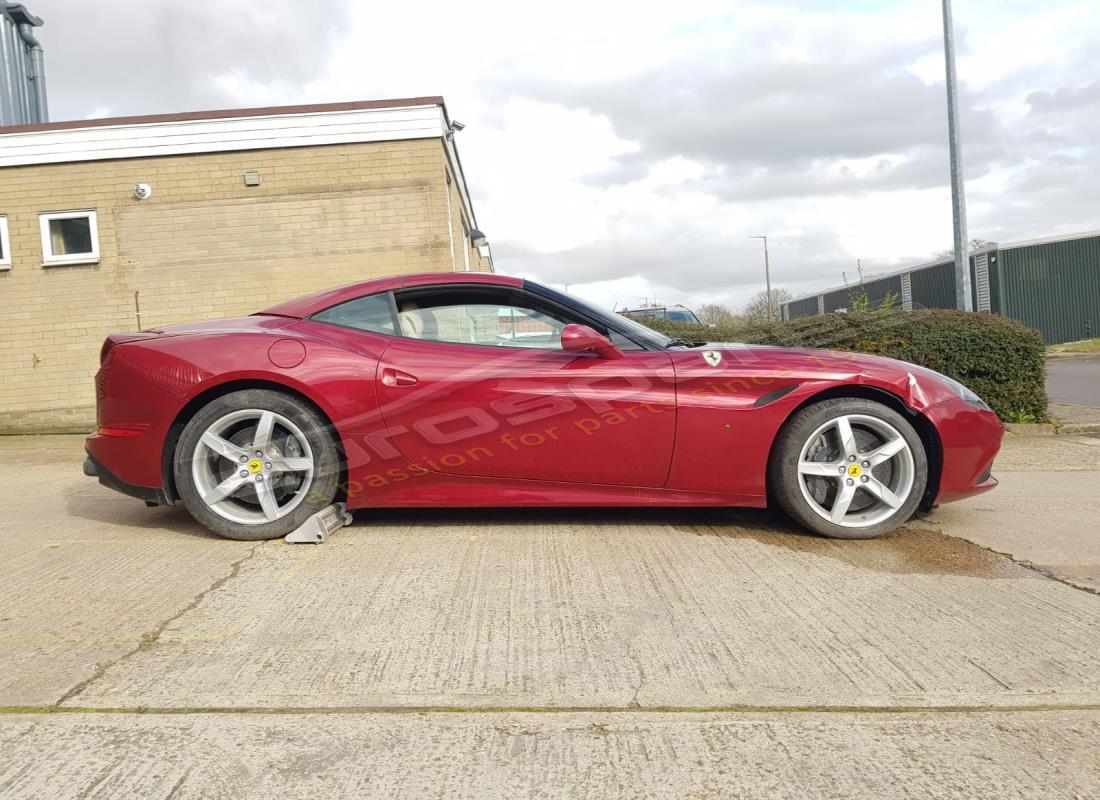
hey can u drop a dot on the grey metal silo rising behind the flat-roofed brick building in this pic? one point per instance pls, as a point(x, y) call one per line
point(23, 73)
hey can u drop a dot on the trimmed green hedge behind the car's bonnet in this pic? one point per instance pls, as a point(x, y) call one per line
point(999, 359)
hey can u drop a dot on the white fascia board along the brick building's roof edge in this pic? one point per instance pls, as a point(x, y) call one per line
point(224, 135)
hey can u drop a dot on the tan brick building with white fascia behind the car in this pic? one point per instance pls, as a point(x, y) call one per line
point(135, 223)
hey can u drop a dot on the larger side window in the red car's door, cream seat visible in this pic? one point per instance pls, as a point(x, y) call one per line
point(480, 322)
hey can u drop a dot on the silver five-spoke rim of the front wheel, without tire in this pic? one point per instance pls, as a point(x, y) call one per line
point(856, 472)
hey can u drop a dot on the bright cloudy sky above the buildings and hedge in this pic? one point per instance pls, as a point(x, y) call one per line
point(629, 150)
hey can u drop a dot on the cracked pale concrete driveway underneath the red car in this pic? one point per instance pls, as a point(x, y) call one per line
point(551, 654)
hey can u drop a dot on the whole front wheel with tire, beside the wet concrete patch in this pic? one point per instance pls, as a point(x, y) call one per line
point(850, 469)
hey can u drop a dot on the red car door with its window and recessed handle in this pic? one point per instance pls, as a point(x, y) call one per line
point(478, 386)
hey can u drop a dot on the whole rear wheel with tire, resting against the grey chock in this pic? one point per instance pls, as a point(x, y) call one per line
point(256, 465)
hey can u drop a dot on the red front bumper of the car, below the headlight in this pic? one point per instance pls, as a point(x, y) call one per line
point(971, 440)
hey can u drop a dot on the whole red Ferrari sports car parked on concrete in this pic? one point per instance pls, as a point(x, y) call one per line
point(478, 390)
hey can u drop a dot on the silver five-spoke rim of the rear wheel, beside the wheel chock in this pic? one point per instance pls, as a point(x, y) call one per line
point(252, 467)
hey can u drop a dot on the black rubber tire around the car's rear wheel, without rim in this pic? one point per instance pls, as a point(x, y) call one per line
point(323, 485)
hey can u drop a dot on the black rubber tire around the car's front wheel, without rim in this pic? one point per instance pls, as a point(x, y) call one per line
point(785, 481)
